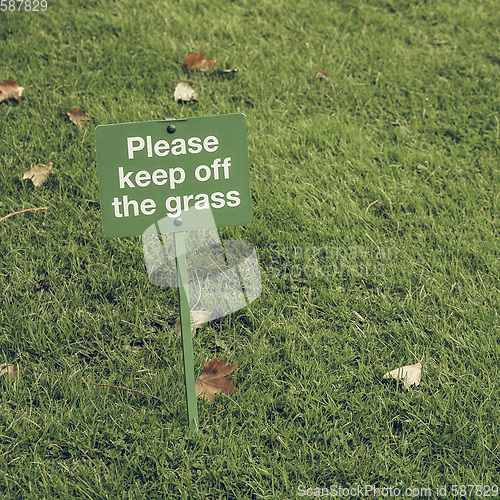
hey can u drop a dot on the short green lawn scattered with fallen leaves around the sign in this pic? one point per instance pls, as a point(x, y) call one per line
point(375, 190)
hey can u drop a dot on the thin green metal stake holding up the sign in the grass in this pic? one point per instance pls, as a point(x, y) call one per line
point(186, 334)
